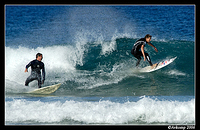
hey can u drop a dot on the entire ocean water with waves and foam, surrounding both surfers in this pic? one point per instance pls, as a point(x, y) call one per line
point(87, 48)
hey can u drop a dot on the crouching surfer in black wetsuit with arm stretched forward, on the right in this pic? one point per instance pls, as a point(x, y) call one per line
point(140, 44)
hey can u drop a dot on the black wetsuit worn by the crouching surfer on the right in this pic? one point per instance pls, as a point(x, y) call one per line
point(137, 53)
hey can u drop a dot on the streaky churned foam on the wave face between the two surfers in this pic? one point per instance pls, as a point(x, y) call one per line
point(106, 75)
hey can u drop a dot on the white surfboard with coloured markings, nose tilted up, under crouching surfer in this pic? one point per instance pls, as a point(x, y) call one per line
point(158, 66)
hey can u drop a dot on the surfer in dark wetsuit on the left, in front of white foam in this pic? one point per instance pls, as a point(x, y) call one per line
point(36, 66)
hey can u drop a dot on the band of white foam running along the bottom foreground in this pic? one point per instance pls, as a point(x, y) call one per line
point(145, 110)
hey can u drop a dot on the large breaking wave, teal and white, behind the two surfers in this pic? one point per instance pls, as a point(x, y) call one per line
point(90, 64)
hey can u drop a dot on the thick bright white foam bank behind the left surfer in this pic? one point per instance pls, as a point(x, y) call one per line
point(56, 58)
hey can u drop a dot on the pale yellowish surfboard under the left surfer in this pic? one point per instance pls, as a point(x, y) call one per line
point(45, 90)
